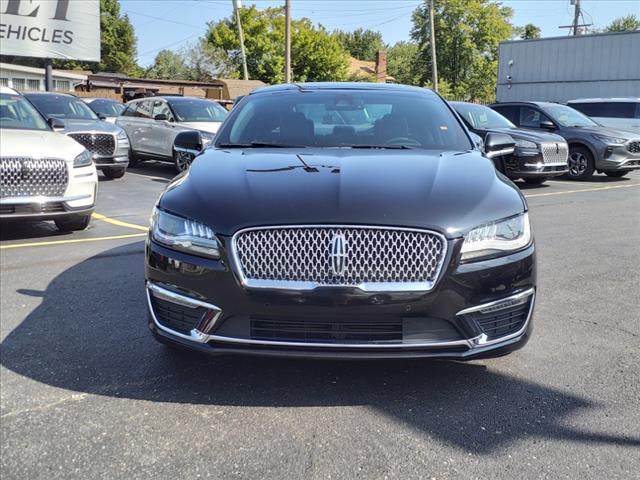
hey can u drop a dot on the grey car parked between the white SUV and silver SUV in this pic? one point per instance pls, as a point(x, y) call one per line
point(108, 143)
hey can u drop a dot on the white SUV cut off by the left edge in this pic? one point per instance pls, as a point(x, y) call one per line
point(44, 175)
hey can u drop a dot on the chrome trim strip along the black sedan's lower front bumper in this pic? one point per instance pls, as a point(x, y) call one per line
point(196, 335)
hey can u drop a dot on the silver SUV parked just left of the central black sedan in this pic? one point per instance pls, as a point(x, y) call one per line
point(153, 123)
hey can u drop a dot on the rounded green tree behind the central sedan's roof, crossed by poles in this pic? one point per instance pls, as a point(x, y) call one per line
point(315, 54)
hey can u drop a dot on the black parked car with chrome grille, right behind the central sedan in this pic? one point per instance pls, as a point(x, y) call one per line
point(537, 156)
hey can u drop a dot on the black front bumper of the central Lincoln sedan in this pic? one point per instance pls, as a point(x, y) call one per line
point(213, 313)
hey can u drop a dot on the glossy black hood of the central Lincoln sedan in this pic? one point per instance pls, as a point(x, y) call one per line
point(450, 192)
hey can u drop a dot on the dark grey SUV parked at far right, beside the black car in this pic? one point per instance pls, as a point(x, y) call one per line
point(592, 147)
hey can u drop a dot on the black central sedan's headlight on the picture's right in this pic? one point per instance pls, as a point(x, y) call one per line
point(494, 238)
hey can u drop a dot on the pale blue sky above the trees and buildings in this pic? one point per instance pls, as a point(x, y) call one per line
point(174, 24)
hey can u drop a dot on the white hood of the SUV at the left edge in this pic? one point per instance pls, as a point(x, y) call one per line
point(38, 144)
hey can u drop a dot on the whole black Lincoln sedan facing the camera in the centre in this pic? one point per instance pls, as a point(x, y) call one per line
point(342, 220)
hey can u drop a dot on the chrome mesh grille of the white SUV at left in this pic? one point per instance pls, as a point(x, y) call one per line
point(29, 177)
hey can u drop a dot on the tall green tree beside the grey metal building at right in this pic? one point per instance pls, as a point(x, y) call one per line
point(467, 33)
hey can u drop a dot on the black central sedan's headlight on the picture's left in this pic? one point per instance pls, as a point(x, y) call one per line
point(184, 235)
